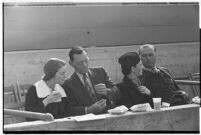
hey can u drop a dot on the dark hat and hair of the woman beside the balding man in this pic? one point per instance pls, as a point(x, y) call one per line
point(128, 60)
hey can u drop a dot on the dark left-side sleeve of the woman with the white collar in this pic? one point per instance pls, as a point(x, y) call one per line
point(32, 102)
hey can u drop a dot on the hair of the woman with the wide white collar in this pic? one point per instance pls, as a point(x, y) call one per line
point(51, 68)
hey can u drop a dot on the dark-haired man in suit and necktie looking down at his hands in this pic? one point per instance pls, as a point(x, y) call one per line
point(90, 90)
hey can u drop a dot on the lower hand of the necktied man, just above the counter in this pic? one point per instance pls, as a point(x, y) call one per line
point(97, 107)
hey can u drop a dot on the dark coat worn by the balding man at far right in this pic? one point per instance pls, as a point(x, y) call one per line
point(163, 85)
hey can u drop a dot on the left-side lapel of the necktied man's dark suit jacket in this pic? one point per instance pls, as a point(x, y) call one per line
point(79, 90)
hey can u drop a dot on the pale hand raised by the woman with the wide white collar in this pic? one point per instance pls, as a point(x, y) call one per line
point(53, 97)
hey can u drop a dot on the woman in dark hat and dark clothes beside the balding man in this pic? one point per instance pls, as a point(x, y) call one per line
point(131, 87)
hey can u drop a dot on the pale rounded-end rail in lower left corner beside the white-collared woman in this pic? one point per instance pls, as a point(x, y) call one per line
point(27, 114)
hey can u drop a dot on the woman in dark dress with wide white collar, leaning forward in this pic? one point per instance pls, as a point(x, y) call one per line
point(47, 95)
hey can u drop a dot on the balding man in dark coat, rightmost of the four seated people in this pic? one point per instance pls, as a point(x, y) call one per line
point(159, 80)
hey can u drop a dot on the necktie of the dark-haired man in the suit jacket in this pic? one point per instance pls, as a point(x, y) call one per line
point(89, 89)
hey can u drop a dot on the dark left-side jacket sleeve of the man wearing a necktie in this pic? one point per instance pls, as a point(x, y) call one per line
point(74, 109)
